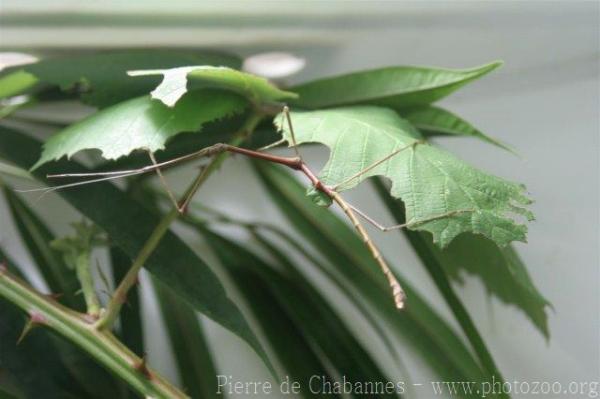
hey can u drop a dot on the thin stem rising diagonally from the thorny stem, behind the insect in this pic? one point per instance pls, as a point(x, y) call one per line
point(120, 295)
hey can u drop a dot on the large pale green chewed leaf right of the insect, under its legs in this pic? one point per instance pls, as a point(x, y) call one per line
point(444, 195)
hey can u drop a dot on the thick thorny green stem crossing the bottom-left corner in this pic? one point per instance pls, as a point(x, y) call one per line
point(101, 345)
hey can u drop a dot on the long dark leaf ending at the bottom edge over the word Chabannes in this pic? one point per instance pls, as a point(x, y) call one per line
point(305, 306)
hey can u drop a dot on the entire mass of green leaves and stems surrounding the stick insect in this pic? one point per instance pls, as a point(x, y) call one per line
point(376, 123)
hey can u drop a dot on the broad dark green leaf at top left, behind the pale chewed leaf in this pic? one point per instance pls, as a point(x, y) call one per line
point(102, 79)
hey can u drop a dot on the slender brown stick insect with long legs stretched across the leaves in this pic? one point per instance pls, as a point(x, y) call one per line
point(296, 163)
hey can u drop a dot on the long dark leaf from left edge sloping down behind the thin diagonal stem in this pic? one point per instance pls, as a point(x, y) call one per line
point(129, 225)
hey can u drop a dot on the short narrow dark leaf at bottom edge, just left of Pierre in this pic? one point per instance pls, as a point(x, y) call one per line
point(188, 341)
